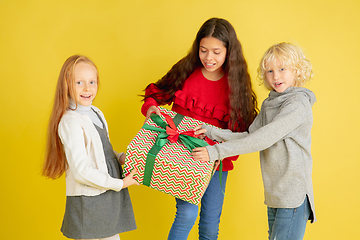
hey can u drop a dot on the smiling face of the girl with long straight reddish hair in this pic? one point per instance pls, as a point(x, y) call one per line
point(85, 83)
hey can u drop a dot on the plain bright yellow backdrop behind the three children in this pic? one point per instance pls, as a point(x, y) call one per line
point(134, 43)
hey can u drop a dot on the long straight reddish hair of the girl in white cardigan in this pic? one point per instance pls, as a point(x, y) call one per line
point(55, 163)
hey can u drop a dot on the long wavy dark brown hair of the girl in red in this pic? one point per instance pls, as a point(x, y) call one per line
point(243, 101)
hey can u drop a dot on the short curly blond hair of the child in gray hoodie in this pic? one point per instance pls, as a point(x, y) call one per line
point(289, 56)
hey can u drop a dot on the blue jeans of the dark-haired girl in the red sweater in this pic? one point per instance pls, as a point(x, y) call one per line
point(211, 207)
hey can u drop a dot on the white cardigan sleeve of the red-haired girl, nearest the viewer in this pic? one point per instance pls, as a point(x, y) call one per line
point(81, 160)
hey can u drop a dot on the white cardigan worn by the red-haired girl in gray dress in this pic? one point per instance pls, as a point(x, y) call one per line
point(87, 173)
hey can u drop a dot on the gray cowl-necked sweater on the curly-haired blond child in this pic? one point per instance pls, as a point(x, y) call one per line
point(282, 134)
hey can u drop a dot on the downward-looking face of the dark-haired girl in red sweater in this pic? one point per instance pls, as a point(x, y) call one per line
point(212, 54)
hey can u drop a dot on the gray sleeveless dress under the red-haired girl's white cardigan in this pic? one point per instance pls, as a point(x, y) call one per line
point(104, 215)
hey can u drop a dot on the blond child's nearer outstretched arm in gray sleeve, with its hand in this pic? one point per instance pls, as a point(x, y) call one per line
point(287, 120)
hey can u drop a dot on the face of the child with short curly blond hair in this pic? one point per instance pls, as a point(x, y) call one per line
point(279, 77)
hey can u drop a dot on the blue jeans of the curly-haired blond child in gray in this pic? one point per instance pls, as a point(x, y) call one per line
point(288, 223)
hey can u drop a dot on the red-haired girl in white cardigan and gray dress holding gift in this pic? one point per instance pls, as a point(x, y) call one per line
point(98, 204)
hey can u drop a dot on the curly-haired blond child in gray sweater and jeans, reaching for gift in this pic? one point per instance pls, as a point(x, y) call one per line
point(282, 134)
